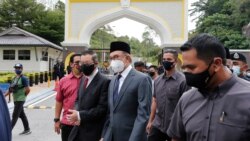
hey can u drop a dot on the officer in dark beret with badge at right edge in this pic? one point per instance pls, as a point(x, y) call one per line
point(239, 65)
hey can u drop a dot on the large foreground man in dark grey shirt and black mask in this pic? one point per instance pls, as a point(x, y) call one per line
point(217, 107)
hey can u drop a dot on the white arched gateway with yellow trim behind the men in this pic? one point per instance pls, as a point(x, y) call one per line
point(167, 17)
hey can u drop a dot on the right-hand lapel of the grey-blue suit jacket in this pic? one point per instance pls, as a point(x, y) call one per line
point(125, 85)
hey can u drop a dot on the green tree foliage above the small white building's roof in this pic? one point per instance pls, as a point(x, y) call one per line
point(34, 17)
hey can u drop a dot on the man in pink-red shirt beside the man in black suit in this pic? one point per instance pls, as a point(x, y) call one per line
point(65, 98)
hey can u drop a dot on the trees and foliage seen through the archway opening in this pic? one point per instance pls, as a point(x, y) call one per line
point(145, 49)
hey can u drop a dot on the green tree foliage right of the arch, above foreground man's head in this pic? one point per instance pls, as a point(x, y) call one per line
point(224, 19)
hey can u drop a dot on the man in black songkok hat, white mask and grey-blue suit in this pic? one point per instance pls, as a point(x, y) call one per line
point(130, 94)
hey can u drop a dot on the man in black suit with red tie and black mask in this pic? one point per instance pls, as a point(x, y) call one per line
point(91, 104)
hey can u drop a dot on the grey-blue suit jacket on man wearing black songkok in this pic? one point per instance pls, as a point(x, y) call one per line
point(129, 115)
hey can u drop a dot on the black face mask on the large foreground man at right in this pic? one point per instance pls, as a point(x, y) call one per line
point(199, 80)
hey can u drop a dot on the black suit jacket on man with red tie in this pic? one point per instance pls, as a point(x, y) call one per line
point(92, 106)
